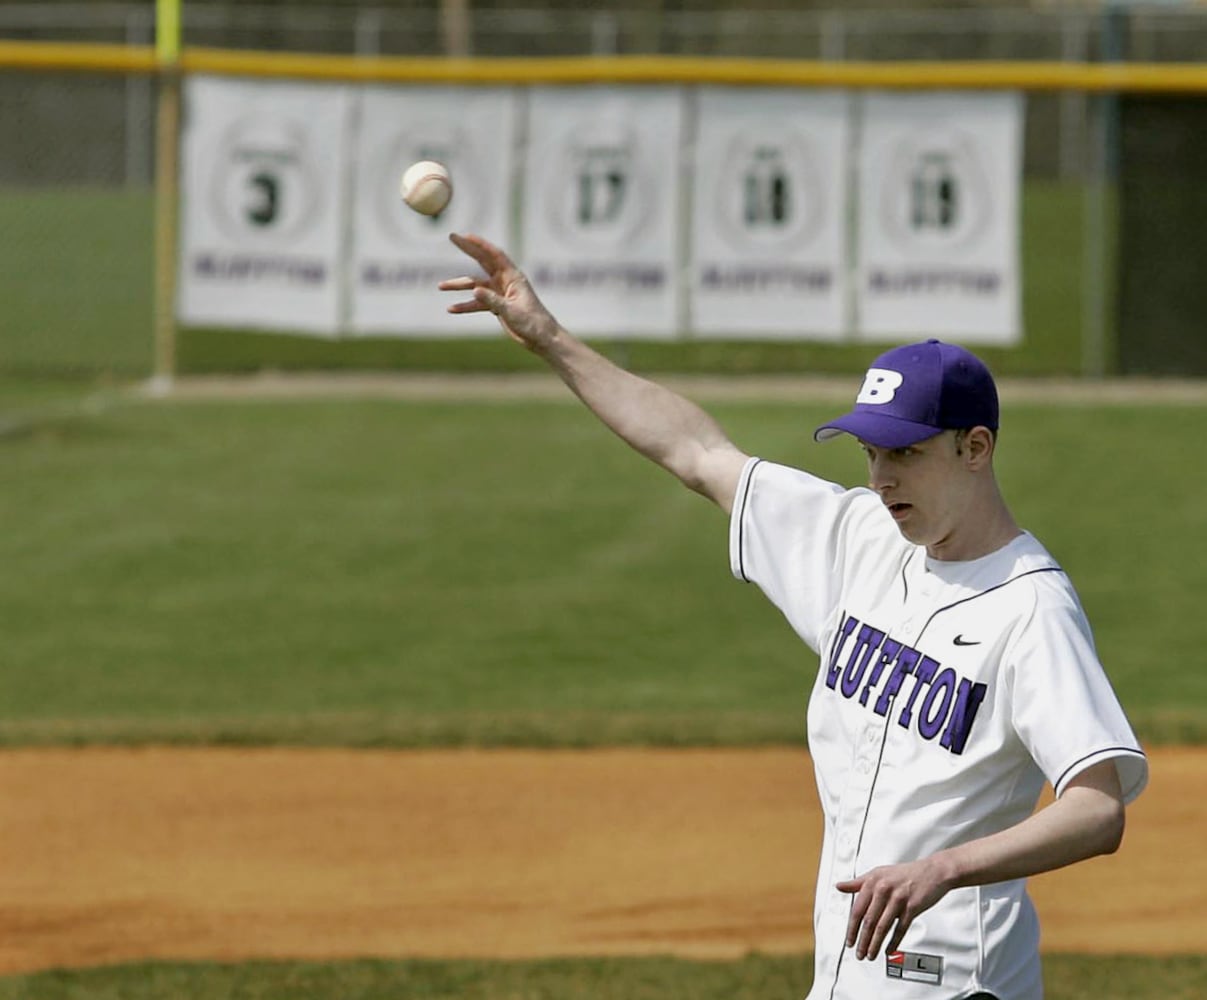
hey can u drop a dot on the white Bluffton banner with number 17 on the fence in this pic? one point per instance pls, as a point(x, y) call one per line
point(602, 210)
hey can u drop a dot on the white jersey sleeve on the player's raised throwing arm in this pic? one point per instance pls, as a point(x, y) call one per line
point(794, 535)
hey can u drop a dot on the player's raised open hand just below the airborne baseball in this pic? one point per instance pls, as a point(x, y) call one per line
point(505, 291)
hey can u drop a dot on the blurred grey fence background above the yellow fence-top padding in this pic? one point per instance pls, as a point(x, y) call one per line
point(1141, 32)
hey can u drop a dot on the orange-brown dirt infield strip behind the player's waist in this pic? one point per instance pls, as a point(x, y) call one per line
point(114, 856)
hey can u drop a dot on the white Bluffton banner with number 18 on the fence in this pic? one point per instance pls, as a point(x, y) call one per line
point(769, 214)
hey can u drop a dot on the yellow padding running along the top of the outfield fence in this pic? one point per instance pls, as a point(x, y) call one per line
point(1095, 78)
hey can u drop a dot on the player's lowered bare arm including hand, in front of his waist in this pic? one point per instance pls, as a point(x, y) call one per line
point(1087, 821)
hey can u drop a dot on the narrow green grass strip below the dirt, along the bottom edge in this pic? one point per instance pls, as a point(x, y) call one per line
point(757, 978)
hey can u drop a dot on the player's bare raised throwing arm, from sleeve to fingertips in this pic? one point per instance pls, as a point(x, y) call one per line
point(660, 424)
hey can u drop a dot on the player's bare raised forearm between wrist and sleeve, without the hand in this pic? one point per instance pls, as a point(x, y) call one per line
point(660, 424)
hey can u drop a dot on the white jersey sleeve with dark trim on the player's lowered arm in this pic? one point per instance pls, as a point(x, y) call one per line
point(1064, 706)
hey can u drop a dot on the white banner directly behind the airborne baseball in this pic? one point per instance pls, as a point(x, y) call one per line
point(399, 255)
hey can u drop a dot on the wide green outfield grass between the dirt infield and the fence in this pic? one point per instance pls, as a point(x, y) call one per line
point(403, 574)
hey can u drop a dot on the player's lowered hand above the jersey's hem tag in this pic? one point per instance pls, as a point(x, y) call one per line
point(888, 897)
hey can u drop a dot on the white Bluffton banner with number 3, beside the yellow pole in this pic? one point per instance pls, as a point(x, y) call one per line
point(264, 173)
